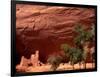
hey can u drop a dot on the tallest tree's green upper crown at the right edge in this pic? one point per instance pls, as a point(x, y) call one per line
point(83, 35)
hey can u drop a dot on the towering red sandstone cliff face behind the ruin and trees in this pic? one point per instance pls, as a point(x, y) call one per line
point(45, 28)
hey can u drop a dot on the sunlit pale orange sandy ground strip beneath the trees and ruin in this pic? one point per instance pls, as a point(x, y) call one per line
point(64, 66)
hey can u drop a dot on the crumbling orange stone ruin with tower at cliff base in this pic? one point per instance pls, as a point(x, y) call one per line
point(26, 63)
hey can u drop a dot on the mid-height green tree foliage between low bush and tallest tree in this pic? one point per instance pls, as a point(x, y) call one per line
point(74, 54)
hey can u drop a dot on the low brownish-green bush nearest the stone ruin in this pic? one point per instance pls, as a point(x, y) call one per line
point(54, 61)
